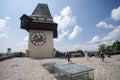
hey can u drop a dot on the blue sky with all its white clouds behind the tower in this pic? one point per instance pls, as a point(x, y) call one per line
point(82, 24)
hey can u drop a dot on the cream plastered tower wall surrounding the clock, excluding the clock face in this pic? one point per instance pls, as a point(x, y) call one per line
point(45, 50)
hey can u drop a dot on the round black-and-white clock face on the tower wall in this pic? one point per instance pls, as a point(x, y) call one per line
point(38, 38)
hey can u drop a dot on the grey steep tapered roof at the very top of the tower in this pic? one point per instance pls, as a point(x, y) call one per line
point(42, 10)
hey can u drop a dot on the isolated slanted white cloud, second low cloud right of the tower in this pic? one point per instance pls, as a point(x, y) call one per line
point(77, 31)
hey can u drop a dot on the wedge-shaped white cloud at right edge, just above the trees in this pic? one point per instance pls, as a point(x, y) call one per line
point(113, 35)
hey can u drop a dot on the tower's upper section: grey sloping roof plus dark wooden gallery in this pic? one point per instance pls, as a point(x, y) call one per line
point(34, 22)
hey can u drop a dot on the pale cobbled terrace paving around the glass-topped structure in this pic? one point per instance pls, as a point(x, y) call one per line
point(31, 69)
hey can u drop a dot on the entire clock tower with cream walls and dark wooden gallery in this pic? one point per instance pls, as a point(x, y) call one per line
point(41, 30)
